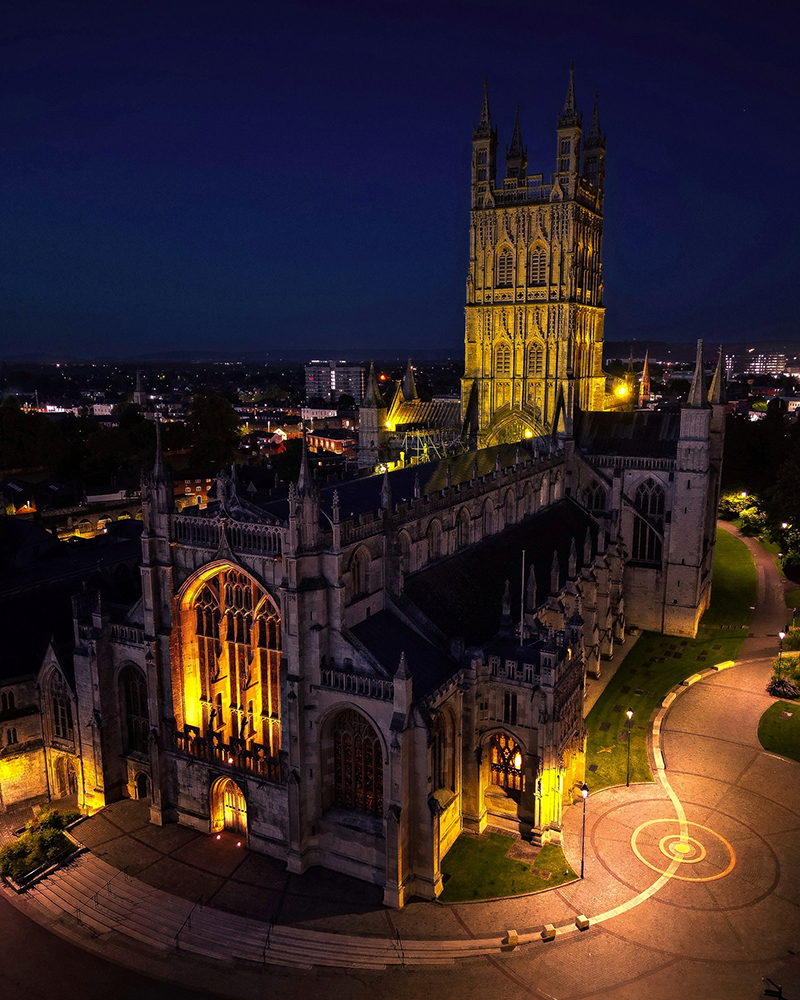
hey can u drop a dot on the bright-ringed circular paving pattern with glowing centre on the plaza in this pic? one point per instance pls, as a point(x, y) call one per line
point(708, 850)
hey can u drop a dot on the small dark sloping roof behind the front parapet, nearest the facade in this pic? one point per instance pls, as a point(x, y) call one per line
point(387, 637)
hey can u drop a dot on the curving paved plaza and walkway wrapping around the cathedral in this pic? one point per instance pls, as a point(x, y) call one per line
point(696, 881)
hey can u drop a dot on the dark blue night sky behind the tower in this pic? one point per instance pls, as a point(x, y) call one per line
point(249, 175)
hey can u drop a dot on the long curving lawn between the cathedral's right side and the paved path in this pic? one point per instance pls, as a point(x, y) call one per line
point(658, 662)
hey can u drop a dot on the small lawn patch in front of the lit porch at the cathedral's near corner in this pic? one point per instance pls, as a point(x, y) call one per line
point(477, 868)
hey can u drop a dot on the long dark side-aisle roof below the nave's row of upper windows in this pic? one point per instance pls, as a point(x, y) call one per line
point(462, 595)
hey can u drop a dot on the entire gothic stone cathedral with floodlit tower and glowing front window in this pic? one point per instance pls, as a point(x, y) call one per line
point(354, 674)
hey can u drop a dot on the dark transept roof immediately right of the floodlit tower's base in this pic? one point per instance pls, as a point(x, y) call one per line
point(645, 433)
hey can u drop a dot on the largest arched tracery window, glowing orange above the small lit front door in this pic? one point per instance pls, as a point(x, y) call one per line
point(232, 661)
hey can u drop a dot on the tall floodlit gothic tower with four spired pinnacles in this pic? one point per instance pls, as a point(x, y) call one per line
point(534, 314)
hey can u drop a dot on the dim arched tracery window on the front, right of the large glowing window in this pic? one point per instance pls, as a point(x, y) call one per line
point(358, 763)
